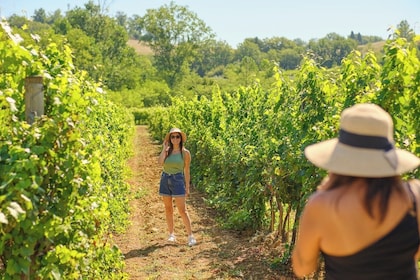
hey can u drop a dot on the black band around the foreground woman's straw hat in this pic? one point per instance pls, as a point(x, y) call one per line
point(364, 141)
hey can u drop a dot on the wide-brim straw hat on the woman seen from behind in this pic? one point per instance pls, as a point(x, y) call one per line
point(365, 146)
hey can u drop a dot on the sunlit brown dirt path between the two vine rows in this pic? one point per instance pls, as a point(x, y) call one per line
point(219, 254)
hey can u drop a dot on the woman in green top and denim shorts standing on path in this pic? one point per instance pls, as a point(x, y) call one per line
point(175, 180)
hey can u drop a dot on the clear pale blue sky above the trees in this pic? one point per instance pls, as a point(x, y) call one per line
point(234, 20)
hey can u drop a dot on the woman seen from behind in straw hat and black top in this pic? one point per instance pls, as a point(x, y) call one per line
point(363, 218)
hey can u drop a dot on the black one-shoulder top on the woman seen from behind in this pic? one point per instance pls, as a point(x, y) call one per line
point(391, 257)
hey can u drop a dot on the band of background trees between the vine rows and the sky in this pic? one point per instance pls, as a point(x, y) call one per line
point(186, 61)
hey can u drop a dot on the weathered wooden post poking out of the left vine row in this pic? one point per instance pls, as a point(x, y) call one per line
point(34, 98)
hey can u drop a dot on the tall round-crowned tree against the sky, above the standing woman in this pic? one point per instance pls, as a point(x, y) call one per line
point(175, 34)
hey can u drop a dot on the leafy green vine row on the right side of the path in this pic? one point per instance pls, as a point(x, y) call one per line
point(247, 144)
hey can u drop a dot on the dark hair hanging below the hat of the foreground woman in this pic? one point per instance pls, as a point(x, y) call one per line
point(377, 188)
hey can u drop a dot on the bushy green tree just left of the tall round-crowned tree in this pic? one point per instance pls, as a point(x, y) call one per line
point(102, 41)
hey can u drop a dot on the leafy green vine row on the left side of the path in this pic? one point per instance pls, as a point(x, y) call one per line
point(62, 188)
